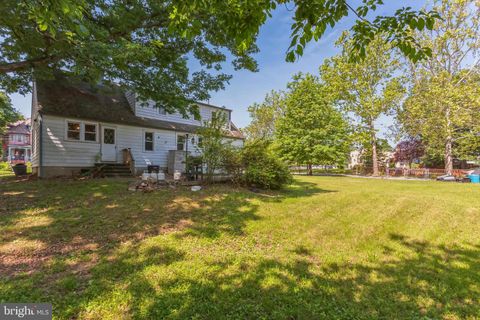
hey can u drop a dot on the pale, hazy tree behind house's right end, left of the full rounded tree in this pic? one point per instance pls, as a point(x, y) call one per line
point(264, 116)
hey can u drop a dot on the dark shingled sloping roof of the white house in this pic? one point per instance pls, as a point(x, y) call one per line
point(70, 98)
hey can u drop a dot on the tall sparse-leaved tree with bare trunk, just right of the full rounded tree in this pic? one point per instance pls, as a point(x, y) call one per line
point(365, 89)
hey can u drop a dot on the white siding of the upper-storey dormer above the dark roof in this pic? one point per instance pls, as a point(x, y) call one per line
point(149, 111)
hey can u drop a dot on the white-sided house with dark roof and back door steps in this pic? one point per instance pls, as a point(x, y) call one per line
point(76, 125)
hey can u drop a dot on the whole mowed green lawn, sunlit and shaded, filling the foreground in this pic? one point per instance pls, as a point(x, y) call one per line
point(325, 248)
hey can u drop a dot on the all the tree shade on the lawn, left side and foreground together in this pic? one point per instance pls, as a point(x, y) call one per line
point(87, 257)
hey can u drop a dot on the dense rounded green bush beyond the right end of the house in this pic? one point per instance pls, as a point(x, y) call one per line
point(262, 168)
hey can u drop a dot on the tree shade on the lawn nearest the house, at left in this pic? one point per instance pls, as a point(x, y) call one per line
point(41, 221)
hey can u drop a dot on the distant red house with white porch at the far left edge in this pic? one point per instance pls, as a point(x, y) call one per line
point(16, 144)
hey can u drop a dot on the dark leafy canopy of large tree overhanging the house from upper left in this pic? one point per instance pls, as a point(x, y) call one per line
point(144, 44)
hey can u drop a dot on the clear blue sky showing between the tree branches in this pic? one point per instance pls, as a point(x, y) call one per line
point(247, 87)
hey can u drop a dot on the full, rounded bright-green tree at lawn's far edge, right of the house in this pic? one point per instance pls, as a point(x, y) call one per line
point(311, 131)
